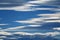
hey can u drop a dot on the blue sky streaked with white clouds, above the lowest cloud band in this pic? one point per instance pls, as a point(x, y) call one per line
point(30, 16)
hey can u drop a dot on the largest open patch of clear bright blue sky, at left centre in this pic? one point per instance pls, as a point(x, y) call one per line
point(8, 16)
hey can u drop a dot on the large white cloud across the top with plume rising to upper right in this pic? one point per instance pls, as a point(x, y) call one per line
point(29, 6)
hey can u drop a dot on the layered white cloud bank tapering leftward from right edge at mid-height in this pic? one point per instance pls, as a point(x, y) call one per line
point(44, 18)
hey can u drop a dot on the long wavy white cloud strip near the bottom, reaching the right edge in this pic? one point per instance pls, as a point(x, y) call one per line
point(46, 34)
